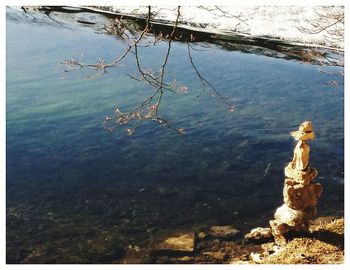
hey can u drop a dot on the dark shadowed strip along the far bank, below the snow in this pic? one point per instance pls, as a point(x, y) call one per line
point(229, 41)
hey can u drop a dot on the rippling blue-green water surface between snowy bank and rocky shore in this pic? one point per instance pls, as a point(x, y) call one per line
point(76, 192)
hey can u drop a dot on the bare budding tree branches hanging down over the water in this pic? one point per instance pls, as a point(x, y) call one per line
point(148, 109)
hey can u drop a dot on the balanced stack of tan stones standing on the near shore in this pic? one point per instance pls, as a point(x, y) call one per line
point(300, 192)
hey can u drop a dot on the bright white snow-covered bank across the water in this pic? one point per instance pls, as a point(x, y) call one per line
point(301, 24)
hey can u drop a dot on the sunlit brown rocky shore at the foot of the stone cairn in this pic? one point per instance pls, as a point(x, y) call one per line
point(323, 244)
